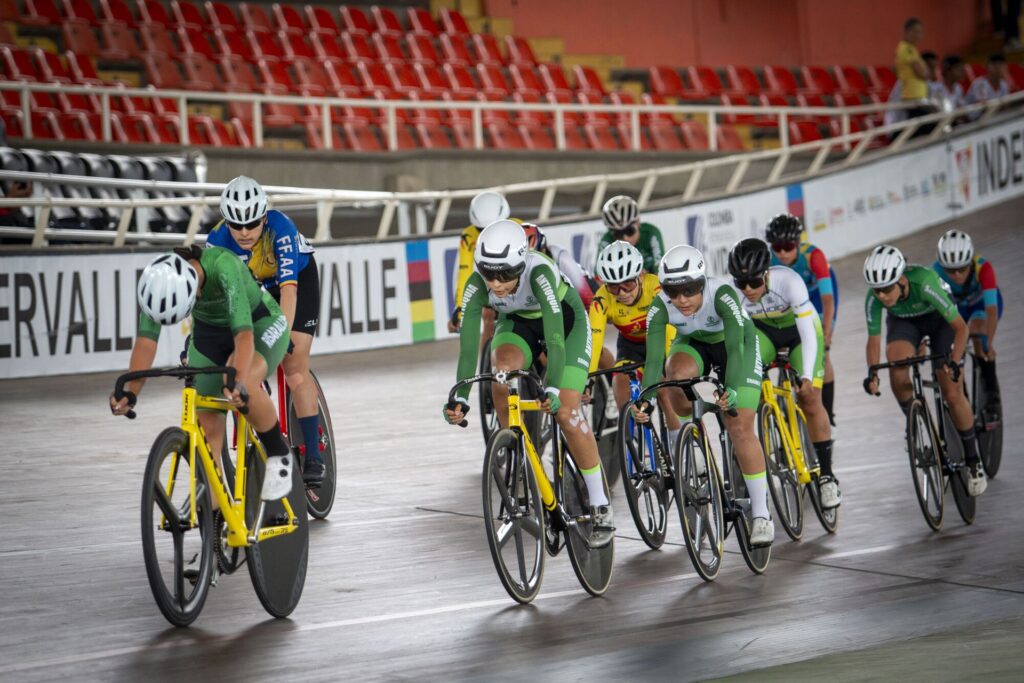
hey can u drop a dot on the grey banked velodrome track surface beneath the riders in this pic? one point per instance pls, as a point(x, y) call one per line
point(402, 586)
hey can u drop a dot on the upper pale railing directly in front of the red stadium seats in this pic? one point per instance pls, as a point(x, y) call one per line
point(713, 113)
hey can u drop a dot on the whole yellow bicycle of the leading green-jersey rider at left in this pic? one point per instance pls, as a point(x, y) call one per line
point(183, 492)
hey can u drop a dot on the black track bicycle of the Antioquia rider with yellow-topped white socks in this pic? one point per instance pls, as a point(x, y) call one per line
point(712, 501)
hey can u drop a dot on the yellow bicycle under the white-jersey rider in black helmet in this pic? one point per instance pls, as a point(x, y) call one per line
point(791, 461)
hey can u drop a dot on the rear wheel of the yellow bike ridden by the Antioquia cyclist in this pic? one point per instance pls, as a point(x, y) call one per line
point(592, 566)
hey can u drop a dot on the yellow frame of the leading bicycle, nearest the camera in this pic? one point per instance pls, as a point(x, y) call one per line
point(233, 506)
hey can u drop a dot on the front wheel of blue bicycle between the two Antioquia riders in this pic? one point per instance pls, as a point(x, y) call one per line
point(645, 484)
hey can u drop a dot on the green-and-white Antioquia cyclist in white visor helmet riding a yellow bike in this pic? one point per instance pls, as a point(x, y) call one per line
point(538, 311)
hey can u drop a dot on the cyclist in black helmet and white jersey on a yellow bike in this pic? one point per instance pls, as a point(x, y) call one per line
point(777, 300)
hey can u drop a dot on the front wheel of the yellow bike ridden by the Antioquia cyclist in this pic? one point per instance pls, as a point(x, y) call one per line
point(514, 513)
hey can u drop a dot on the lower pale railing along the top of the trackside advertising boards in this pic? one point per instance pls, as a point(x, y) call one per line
point(858, 148)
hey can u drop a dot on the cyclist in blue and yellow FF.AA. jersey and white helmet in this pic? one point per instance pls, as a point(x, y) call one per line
point(281, 259)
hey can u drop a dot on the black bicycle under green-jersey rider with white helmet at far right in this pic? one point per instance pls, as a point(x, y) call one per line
point(935, 451)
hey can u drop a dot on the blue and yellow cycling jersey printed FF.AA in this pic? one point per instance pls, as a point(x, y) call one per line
point(278, 258)
